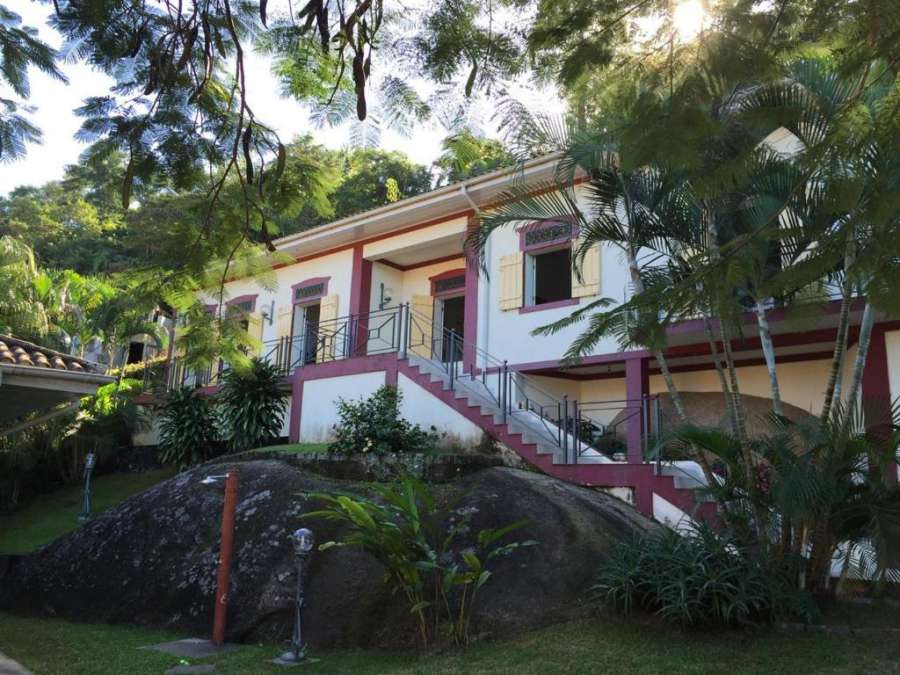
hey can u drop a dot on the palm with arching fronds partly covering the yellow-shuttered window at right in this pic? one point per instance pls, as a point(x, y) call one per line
point(646, 214)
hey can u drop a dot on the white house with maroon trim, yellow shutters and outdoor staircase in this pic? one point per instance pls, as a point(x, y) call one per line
point(389, 297)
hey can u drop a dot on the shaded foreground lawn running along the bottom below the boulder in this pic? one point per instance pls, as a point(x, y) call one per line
point(53, 646)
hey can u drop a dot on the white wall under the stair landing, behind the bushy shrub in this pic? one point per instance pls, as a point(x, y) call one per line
point(318, 413)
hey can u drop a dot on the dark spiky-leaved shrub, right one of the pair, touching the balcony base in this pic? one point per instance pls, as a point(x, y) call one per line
point(252, 405)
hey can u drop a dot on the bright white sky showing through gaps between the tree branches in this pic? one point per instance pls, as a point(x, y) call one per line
point(54, 102)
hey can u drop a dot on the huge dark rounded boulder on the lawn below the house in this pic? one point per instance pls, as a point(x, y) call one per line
point(152, 560)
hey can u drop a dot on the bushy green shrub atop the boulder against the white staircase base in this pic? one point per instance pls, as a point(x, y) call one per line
point(374, 425)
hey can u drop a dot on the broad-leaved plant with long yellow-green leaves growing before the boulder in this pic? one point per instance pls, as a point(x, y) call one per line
point(419, 544)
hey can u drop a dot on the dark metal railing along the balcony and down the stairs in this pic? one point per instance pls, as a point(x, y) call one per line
point(577, 428)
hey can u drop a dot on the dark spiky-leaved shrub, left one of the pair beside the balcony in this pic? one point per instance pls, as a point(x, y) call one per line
point(188, 428)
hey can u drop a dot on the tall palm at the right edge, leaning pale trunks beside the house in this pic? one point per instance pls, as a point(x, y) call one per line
point(838, 213)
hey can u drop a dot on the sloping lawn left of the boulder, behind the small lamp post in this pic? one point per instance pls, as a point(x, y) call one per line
point(52, 515)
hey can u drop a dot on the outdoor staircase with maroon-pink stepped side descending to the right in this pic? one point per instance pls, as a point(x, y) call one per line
point(521, 431)
